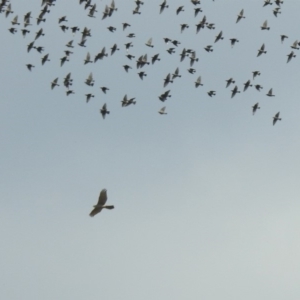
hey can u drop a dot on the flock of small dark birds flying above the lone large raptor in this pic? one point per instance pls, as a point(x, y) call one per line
point(142, 60)
